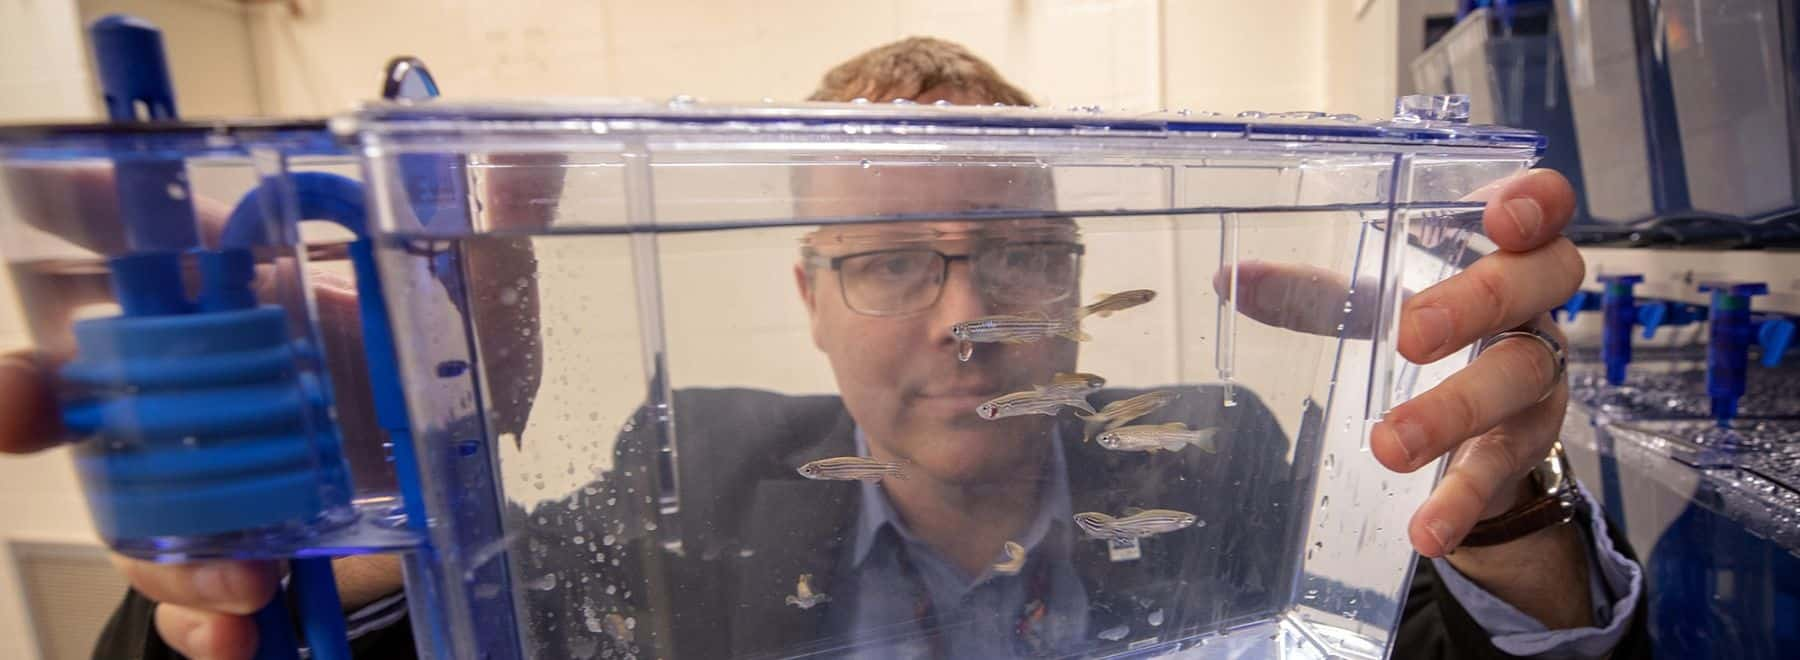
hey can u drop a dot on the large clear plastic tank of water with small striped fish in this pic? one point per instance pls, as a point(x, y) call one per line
point(708, 382)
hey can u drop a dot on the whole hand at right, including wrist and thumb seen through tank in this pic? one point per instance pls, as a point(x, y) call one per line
point(1497, 418)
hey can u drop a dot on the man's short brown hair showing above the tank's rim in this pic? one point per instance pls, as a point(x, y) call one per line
point(912, 67)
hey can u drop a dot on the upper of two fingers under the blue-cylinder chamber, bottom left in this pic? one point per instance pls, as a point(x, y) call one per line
point(228, 587)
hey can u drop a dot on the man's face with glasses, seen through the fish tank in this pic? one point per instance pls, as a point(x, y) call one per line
point(899, 373)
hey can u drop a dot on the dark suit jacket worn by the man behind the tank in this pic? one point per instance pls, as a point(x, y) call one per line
point(708, 580)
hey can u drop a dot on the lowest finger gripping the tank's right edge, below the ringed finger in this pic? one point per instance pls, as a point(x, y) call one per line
point(1482, 479)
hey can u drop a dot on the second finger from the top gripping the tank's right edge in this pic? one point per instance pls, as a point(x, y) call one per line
point(1497, 294)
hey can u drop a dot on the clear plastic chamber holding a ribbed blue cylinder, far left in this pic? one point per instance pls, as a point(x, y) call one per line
point(163, 274)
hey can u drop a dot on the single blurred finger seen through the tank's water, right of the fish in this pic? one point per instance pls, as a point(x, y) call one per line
point(1299, 298)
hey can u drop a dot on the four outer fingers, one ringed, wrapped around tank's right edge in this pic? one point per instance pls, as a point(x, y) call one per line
point(1493, 416)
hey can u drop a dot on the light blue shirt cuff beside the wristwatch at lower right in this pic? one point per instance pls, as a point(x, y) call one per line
point(1615, 584)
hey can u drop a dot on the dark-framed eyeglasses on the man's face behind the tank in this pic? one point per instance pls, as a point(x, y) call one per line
point(901, 281)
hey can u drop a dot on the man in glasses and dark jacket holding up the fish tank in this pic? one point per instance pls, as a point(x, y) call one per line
point(908, 564)
